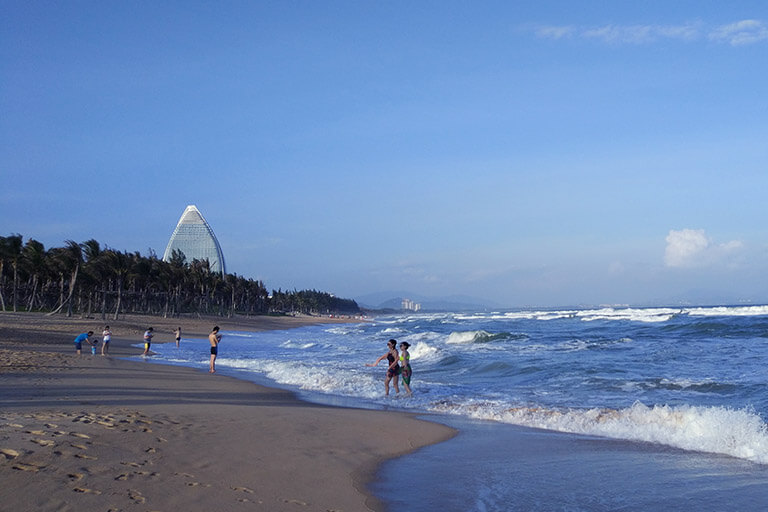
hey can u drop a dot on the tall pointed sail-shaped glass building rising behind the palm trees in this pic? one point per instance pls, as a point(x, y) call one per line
point(194, 237)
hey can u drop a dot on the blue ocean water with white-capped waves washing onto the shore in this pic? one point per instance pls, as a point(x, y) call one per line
point(659, 385)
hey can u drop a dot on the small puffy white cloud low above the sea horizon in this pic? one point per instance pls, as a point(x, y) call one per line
point(693, 248)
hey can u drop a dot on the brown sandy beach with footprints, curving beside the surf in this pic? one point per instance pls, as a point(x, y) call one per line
point(102, 433)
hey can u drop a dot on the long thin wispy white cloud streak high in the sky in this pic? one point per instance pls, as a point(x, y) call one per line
point(739, 33)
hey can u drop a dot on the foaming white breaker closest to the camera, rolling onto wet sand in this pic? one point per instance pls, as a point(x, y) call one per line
point(736, 432)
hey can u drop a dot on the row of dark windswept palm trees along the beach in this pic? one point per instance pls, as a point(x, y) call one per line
point(86, 278)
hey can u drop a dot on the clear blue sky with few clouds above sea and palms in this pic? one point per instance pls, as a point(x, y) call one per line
point(528, 153)
